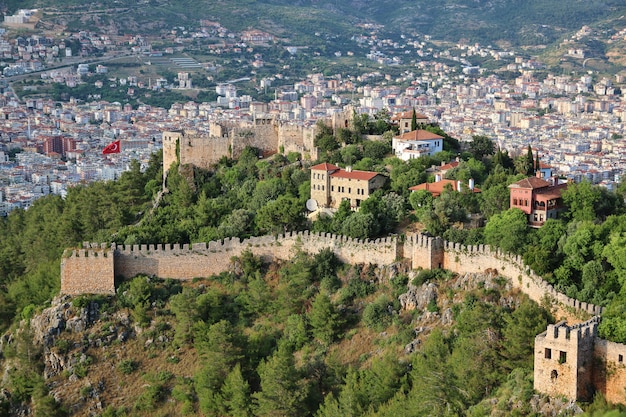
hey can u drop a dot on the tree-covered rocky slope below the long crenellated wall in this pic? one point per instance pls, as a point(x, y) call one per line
point(304, 337)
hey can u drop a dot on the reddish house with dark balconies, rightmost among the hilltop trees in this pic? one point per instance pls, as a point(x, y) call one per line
point(539, 199)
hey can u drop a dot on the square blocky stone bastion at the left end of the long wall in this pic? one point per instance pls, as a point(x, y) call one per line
point(89, 270)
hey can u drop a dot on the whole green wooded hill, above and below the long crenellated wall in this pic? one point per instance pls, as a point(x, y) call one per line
point(309, 336)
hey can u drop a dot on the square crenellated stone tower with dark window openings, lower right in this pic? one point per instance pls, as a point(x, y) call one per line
point(564, 360)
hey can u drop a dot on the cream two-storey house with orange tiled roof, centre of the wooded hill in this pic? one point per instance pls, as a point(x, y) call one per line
point(330, 185)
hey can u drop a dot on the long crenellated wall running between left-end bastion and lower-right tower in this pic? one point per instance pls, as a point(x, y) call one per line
point(423, 251)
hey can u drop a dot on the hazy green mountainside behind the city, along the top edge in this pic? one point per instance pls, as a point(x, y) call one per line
point(516, 22)
